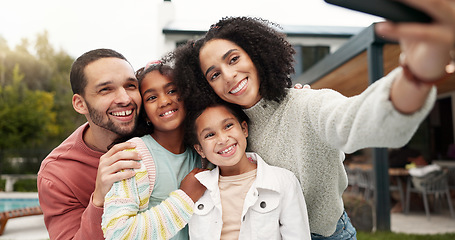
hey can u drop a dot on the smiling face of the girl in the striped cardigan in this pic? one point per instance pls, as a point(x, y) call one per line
point(162, 102)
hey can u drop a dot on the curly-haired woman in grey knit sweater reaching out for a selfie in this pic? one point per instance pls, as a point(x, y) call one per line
point(248, 62)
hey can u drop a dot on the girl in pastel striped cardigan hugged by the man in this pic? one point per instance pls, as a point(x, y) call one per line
point(157, 202)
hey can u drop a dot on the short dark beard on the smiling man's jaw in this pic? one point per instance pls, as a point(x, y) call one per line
point(119, 129)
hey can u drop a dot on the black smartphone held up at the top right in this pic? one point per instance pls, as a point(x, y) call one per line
point(389, 9)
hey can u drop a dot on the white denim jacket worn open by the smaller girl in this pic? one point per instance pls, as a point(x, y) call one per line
point(283, 216)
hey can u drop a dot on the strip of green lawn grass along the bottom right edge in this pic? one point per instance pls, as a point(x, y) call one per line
point(400, 236)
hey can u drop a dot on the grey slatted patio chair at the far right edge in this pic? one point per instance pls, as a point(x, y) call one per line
point(434, 183)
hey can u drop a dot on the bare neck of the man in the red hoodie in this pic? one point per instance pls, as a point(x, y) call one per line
point(98, 139)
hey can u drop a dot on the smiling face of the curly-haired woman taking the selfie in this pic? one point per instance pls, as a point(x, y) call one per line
point(230, 72)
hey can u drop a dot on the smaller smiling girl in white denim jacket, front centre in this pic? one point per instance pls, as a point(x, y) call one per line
point(245, 197)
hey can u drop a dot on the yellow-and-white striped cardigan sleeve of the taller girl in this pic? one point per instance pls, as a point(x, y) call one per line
point(127, 215)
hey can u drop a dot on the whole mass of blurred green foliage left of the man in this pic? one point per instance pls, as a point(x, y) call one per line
point(35, 102)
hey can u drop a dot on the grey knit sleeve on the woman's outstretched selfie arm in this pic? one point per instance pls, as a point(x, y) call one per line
point(365, 120)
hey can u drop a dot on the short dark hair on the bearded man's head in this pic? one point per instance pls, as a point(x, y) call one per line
point(77, 76)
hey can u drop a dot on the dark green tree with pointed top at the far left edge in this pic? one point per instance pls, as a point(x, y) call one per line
point(27, 116)
